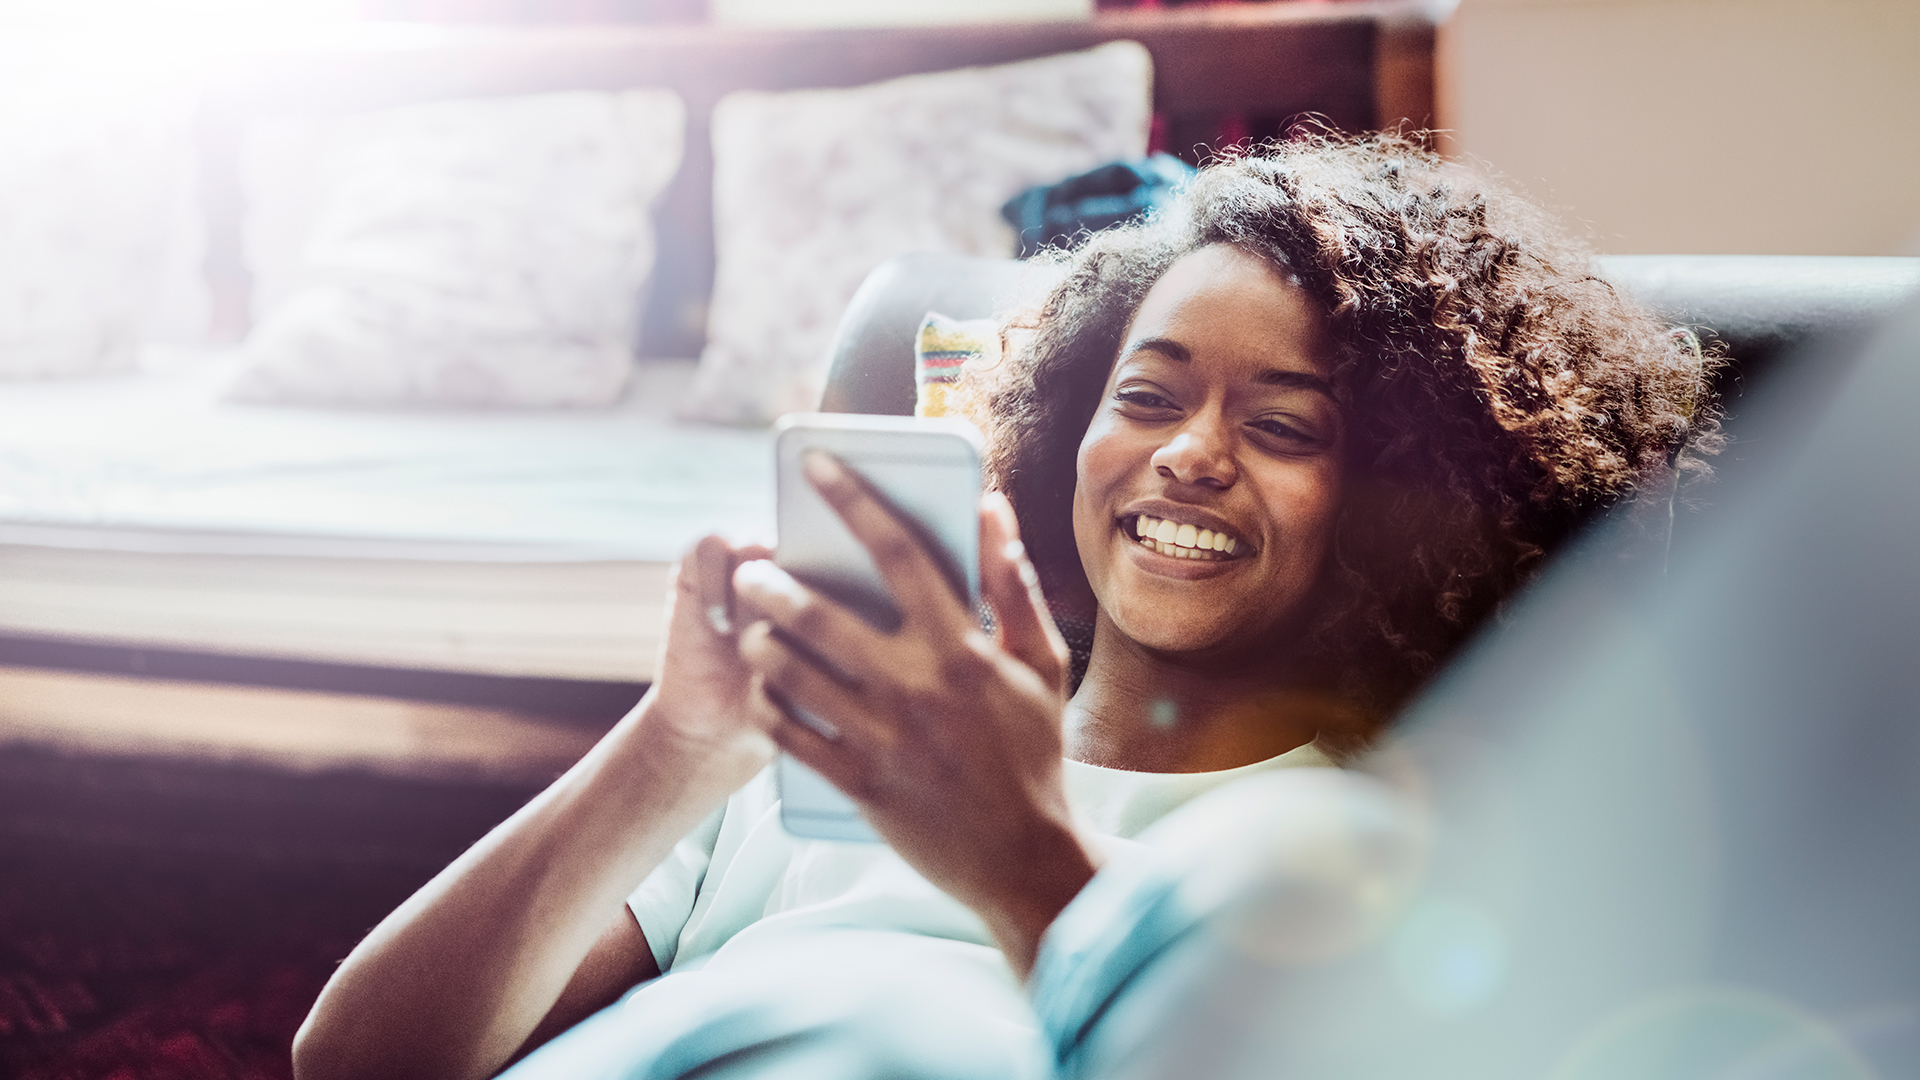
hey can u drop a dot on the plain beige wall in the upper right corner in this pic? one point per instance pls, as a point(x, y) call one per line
point(1700, 126)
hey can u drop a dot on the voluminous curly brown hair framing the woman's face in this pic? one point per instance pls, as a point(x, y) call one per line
point(1497, 393)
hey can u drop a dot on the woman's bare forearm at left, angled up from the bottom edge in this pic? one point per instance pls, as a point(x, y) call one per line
point(454, 981)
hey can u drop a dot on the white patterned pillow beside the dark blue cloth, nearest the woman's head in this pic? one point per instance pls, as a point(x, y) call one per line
point(813, 189)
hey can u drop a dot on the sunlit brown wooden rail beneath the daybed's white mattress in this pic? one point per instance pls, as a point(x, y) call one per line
point(283, 729)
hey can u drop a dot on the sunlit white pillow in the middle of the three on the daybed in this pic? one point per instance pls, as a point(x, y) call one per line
point(469, 253)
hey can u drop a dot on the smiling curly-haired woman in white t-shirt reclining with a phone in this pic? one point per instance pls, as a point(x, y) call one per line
point(1285, 447)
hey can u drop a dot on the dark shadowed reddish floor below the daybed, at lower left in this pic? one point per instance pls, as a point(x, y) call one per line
point(176, 921)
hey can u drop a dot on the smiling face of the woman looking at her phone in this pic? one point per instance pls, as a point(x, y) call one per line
point(1211, 478)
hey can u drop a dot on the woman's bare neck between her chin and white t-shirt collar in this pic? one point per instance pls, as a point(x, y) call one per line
point(1155, 714)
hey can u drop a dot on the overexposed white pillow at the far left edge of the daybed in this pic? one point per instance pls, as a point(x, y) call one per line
point(91, 203)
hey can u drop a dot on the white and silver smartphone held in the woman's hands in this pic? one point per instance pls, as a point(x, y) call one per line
point(928, 472)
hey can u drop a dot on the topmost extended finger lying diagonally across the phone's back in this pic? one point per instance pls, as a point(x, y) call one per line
point(915, 579)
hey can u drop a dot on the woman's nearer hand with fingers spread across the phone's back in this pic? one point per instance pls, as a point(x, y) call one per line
point(949, 739)
